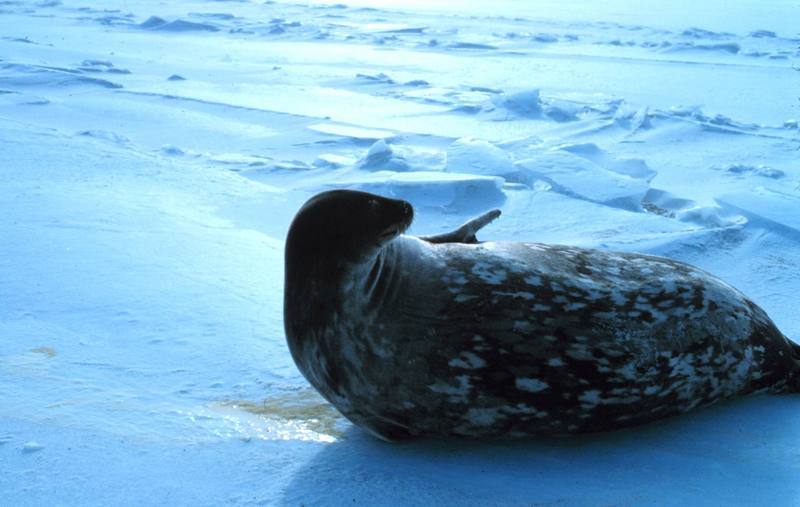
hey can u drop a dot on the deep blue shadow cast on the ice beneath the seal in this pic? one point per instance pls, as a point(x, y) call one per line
point(744, 452)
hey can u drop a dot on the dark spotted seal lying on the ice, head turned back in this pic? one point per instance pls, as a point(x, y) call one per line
point(448, 336)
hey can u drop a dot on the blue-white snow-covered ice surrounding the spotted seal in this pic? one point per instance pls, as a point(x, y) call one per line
point(153, 153)
